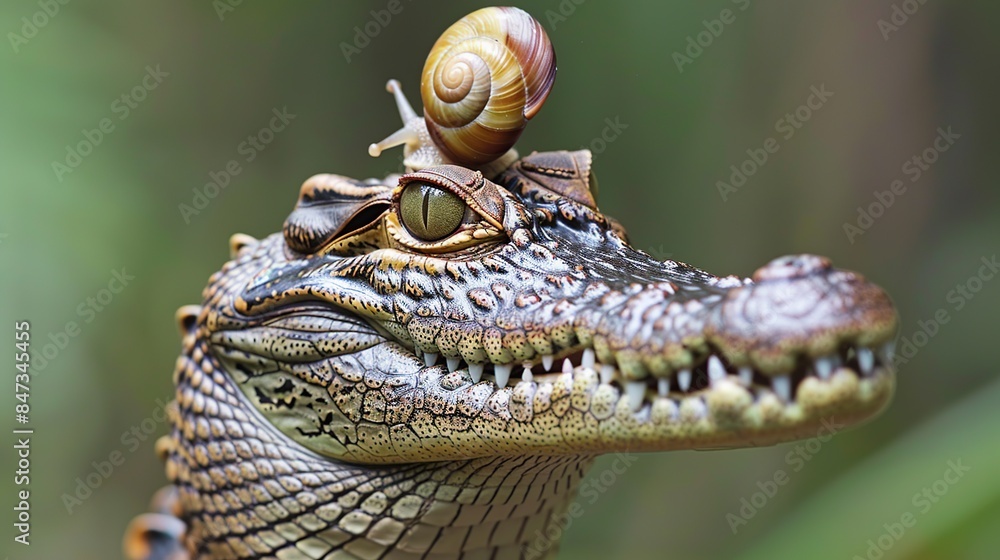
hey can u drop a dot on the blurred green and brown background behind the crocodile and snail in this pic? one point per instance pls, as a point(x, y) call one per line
point(220, 69)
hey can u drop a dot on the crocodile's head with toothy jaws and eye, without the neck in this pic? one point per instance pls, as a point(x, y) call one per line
point(449, 316)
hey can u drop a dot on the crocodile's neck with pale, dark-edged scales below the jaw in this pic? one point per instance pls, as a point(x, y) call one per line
point(248, 490)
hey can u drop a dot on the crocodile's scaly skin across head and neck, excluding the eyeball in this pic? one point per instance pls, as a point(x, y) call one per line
point(341, 391)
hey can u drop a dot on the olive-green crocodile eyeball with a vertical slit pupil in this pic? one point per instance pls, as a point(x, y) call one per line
point(430, 213)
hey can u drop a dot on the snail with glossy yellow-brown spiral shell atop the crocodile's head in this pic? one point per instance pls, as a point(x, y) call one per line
point(484, 78)
